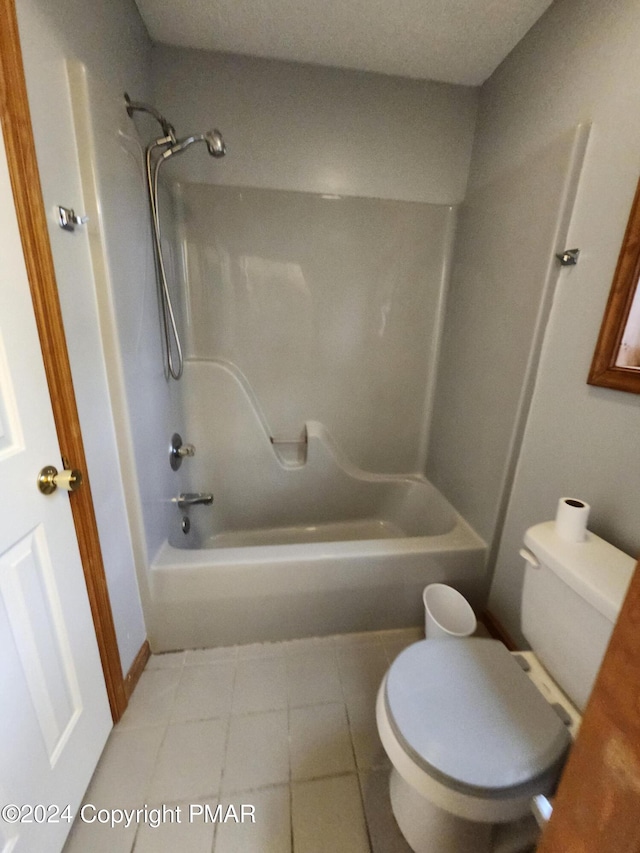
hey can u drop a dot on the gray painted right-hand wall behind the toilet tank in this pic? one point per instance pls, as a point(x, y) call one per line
point(579, 63)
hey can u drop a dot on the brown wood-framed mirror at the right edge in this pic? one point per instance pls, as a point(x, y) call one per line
point(616, 360)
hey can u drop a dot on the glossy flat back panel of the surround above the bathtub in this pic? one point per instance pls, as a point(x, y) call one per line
point(331, 307)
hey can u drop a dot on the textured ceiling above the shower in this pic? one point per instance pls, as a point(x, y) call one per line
point(456, 41)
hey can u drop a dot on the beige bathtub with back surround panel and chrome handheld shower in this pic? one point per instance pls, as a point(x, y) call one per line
point(312, 325)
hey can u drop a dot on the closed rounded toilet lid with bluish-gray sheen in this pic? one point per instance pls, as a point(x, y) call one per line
point(469, 716)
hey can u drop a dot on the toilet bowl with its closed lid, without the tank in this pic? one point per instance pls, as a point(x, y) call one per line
point(471, 741)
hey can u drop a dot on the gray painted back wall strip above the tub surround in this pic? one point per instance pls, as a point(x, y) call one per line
point(313, 129)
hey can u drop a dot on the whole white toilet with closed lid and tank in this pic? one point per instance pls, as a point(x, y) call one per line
point(473, 731)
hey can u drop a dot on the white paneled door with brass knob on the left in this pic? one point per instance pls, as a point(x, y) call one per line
point(54, 712)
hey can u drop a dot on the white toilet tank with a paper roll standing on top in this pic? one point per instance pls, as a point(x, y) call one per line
point(570, 603)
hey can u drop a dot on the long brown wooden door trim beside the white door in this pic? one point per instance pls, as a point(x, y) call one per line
point(25, 181)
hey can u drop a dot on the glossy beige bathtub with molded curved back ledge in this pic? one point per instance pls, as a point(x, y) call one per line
point(306, 545)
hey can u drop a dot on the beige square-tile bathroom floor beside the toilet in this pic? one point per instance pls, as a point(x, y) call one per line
point(286, 728)
